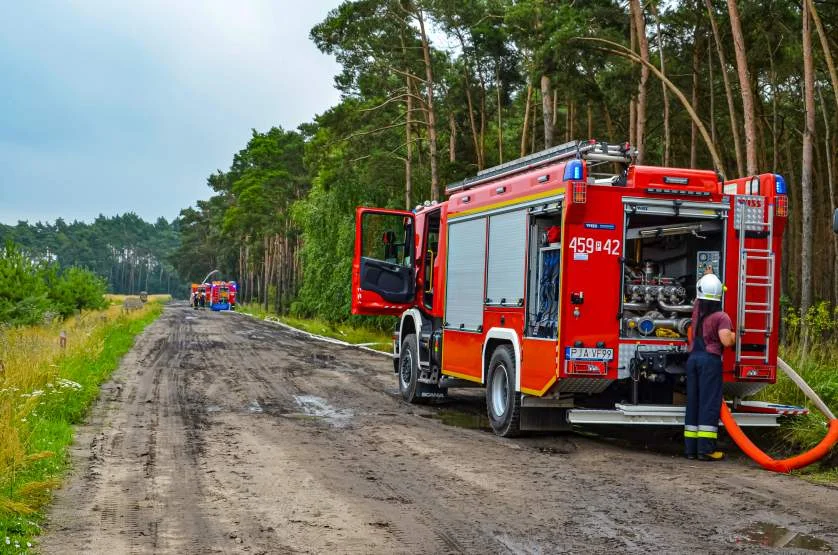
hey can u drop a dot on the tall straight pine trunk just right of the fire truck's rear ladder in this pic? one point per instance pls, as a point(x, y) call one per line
point(806, 172)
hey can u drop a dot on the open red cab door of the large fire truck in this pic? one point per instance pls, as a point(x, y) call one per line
point(383, 270)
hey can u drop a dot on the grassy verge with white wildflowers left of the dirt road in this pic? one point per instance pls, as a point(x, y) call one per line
point(46, 389)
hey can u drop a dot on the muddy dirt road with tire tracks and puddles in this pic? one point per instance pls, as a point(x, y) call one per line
point(221, 433)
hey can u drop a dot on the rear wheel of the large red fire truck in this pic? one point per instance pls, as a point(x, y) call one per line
point(503, 403)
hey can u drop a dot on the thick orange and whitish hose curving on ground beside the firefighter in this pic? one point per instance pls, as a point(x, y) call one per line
point(786, 465)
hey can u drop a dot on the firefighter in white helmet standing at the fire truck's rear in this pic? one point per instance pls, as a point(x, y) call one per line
point(712, 332)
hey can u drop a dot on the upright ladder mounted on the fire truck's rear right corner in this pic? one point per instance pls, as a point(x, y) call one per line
point(756, 284)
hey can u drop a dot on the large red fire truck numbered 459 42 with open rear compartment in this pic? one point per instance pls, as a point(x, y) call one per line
point(563, 283)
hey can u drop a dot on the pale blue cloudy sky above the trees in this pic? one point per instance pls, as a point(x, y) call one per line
point(108, 107)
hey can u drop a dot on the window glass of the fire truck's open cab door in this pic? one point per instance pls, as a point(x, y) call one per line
point(387, 237)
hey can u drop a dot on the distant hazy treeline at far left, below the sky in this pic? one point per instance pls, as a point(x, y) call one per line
point(130, 254)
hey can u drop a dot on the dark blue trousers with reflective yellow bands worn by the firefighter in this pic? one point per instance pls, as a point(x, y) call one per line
point(704, 402)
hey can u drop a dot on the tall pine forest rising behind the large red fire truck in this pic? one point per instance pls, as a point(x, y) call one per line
point(434, 91)
